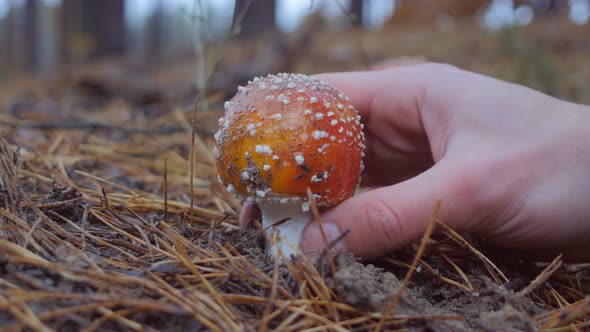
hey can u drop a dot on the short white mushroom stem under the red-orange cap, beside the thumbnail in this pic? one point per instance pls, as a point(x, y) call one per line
point(290, 231)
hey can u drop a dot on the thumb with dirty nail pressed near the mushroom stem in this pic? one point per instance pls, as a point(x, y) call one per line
point(385, 219)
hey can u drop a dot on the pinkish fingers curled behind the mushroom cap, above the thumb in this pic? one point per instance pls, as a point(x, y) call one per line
point(389, 102)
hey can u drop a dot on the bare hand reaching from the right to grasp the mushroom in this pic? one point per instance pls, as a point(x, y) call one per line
point(507, 162)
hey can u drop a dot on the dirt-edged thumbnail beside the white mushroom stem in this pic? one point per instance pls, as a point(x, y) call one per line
point(313, 241)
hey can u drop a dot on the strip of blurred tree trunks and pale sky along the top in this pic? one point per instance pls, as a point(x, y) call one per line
point(37, 35)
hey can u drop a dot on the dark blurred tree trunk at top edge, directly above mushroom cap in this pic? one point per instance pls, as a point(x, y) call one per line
point(252, 17)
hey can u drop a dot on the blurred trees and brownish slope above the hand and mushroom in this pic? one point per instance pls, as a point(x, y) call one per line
point(518, 40)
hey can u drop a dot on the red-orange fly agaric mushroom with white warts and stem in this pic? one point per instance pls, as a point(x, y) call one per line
point(281, 135)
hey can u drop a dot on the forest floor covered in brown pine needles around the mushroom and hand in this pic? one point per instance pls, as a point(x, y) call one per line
point(111, 217)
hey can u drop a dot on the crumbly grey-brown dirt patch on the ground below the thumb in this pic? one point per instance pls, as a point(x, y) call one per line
point(489, 305)
